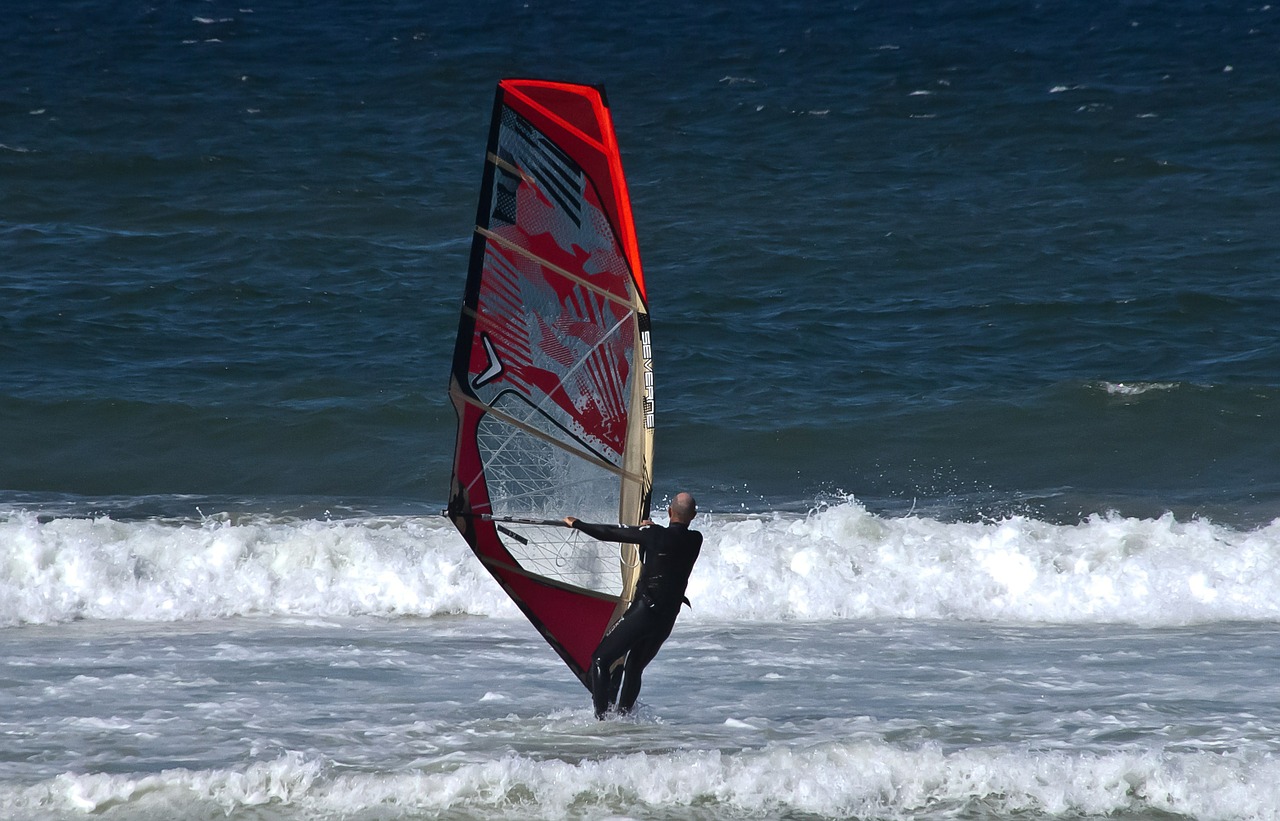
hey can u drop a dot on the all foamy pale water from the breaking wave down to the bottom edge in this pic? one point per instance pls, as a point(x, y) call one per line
point(836, 664)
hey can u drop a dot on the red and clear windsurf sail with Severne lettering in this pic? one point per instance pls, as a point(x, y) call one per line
point(552, 375)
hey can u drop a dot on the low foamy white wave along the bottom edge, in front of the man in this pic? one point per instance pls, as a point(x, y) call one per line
point(862, 779)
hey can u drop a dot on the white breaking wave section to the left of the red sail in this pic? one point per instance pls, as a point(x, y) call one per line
point(150, 571)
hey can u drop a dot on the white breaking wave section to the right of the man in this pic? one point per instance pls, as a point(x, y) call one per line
point(845, 563)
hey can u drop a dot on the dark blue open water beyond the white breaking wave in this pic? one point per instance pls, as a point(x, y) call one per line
point(975, 258)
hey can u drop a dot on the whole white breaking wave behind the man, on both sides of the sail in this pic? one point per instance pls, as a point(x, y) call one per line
point(838, 563)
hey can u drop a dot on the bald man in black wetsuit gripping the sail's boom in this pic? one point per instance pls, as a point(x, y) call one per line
point(669, 555)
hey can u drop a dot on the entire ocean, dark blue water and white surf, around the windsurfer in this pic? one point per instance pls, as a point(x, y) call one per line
point(966, 337)
